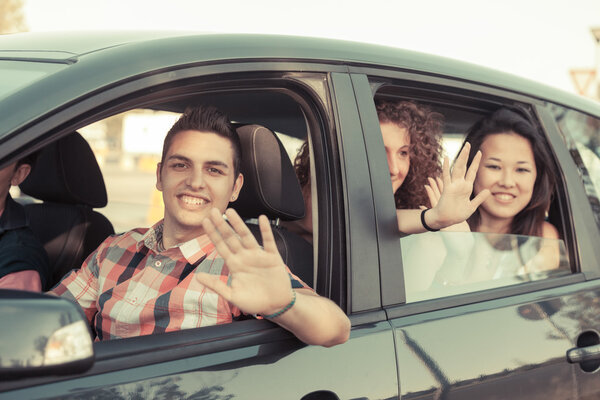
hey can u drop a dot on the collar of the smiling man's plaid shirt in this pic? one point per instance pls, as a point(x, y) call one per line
point(192, 250)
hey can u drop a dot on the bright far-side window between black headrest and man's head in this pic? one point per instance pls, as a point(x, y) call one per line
point(127, 147)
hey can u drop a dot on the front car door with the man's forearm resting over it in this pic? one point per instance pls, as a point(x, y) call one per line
point(248, 359)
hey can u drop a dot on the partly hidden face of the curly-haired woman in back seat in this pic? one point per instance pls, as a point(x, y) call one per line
point(397, 145)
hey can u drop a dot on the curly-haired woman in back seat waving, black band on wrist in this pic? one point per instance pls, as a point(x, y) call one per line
point(412, 139)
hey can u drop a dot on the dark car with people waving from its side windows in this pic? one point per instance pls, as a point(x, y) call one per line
point(99, 103)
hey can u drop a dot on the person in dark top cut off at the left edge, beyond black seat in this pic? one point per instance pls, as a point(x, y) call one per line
point(24, 264)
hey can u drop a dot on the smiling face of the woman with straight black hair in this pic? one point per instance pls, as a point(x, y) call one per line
point(508, 170)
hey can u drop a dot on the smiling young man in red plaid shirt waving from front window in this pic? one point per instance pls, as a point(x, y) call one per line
point(194, 269)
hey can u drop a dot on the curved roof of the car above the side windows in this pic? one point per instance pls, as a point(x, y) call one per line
point(107, 57)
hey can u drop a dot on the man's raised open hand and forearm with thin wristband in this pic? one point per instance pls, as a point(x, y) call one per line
point(260, 284)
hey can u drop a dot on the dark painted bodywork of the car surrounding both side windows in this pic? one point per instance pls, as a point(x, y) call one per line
point(508, 342)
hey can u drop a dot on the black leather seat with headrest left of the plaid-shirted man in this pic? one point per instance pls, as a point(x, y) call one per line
point(67, 178)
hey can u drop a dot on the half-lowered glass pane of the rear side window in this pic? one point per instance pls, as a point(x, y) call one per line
point(440, 264)
